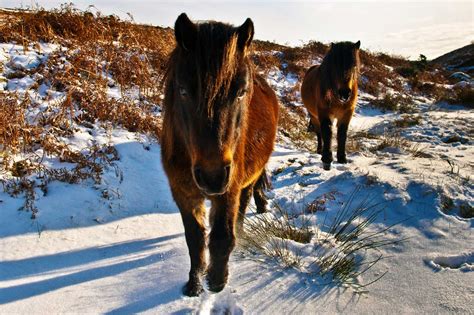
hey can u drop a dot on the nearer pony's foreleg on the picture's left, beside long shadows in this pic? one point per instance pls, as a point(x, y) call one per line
point(193, 214)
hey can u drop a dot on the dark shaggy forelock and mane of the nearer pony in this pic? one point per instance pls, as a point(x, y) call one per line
point(216, 60)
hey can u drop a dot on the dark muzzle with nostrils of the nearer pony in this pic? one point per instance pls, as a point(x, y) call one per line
point(212, 182)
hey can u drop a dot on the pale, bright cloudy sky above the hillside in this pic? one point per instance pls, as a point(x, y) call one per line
point(406, 28)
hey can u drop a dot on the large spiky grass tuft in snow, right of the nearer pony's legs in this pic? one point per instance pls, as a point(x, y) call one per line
point(340, 246)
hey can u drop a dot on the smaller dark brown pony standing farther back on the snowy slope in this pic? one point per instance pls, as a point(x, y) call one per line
point(330, 91)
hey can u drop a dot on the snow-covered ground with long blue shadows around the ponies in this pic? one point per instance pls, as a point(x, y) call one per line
point(118, 246)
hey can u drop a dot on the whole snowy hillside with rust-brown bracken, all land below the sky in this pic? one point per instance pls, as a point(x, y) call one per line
point(88, 223)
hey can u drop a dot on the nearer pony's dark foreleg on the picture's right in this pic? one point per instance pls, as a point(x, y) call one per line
point(222, 238)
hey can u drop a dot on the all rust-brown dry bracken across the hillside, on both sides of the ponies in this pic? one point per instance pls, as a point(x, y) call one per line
point(102, 53)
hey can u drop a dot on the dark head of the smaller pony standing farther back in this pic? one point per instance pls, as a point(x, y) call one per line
point(342, 62)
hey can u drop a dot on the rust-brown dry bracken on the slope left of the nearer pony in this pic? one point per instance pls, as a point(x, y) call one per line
point(97, 48)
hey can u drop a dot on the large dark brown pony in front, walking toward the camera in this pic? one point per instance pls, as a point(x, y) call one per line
point(219, 128)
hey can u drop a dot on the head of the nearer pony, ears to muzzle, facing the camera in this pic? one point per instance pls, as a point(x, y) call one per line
point(209, 87)
